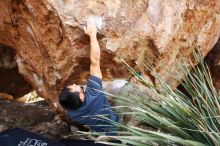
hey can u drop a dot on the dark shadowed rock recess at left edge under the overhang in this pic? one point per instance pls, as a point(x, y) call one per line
point(11, 81)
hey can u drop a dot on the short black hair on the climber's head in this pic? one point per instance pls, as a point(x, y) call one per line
point(70, 100)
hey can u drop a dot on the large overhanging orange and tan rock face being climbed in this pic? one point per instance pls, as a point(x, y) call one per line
point(52, 49)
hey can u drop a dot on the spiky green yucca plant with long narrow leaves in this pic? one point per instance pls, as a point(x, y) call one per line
point(187, 118)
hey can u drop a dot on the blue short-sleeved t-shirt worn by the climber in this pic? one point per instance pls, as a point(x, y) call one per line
point(95, 103)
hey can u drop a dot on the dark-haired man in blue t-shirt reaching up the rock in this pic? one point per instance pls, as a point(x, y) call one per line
point(85, 107)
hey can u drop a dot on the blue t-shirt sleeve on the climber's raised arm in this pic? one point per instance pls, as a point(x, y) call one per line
point(94, 85)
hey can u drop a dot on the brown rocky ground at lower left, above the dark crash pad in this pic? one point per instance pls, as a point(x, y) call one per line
point(36, 117)
